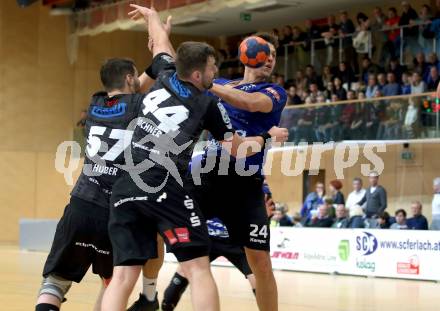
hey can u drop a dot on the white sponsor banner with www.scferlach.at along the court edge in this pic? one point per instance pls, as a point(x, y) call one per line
point(409, 254)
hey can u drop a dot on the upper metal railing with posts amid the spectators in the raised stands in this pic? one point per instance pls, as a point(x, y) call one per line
point(312, 43)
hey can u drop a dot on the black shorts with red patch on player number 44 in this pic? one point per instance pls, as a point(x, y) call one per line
point(136, 217)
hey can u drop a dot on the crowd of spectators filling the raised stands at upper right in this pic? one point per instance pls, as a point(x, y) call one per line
point(359, 77)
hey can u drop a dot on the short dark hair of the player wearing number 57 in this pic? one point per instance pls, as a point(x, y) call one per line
point(113, 72)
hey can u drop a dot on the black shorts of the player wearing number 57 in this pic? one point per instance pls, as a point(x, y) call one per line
point(81, 239)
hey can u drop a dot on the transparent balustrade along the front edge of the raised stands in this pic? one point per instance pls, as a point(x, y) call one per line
point(383, 118)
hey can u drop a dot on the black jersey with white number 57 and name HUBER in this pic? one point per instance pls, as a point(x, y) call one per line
point(107, 138)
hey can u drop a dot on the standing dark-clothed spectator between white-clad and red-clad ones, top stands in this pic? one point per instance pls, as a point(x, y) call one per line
point(379, 37)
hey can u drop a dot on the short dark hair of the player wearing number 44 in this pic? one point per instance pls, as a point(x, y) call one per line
point(192, 56)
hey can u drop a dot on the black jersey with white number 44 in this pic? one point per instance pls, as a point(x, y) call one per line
point(172, 117)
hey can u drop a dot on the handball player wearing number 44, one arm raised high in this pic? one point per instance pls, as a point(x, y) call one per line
point(151, 193)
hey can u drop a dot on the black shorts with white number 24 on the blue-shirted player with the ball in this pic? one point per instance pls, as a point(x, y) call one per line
point(239, 202)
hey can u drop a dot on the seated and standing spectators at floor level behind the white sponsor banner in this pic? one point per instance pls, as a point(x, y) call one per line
point(364, 208)
